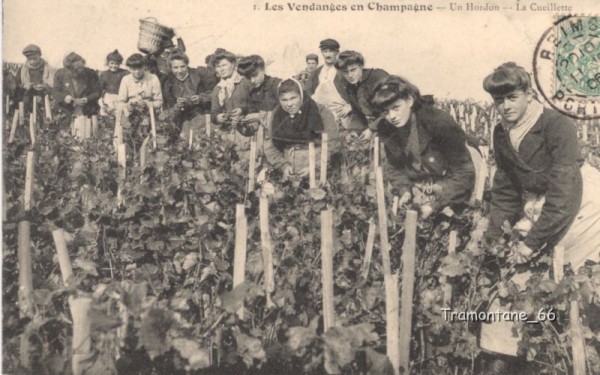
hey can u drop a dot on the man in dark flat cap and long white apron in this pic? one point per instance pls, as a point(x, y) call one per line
point(328, 87)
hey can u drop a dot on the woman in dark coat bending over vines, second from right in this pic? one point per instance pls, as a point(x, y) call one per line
point(427, 155)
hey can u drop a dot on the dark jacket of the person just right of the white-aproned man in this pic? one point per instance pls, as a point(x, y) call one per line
point(359, 94)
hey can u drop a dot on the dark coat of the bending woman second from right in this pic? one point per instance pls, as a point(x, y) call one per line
point(443, 153)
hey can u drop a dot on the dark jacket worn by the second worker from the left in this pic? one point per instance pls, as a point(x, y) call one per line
point(87, 85)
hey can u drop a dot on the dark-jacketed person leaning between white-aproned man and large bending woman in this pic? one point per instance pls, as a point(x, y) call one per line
point(359, 85)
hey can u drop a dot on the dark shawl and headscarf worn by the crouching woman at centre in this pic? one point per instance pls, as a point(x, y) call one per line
point(303, 127)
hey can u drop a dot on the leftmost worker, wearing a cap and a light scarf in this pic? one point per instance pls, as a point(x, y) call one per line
point(35, 78)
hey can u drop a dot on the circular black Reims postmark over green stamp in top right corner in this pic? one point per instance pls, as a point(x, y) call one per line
point(566, 66)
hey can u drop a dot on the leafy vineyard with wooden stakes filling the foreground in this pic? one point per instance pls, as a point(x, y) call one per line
point(192, 257)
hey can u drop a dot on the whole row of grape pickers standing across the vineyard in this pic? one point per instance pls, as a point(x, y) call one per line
point(426, 152)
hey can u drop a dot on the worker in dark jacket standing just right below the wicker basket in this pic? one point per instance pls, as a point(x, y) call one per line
point(187, 93)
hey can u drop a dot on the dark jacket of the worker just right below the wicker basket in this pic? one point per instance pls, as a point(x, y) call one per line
point(203, 80)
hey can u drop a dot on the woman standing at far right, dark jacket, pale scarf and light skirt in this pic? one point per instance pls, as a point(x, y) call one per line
point(542, 186)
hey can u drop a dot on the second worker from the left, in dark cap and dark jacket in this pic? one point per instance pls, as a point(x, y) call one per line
point(77, 88)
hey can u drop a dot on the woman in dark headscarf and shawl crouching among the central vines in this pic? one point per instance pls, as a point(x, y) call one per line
point(297, 121)
